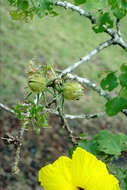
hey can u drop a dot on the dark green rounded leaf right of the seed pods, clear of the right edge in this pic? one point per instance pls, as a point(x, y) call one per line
point(110, 82)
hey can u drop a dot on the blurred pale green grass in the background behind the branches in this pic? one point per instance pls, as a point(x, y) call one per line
point(61, 40)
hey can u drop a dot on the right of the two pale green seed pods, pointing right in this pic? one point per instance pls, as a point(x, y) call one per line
point(72, 90)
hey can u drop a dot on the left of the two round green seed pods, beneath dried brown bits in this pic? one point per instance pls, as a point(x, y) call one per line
point(36, 82)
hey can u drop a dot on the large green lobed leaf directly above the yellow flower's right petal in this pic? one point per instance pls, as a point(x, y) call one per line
point(105, 143)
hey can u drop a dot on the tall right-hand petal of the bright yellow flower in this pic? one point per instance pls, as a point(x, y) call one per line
point(90, 173)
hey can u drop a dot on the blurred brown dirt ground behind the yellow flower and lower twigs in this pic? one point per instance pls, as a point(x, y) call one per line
point(39, 150)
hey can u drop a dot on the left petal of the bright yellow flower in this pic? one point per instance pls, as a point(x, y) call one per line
point(57, 176)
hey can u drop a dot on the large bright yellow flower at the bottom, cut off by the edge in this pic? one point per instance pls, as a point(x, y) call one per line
point(83, 172)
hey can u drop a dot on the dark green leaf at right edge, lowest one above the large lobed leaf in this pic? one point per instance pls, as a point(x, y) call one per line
point(115, 105)
